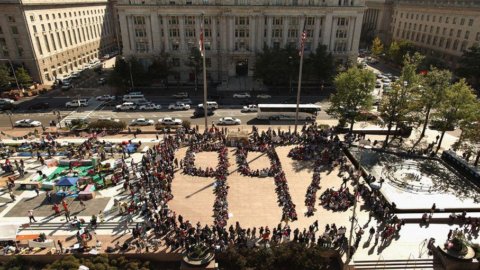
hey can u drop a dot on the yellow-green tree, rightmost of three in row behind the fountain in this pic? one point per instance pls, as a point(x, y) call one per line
point(460, 104)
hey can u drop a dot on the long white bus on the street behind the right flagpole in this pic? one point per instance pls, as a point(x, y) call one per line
point(306, 112)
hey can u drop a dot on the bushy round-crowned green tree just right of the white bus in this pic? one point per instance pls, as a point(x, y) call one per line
point(354, 92)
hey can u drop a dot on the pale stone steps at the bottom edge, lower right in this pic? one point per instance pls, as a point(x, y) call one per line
point(398, 264)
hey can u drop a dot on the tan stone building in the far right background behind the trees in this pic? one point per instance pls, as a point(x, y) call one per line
point(442, 29)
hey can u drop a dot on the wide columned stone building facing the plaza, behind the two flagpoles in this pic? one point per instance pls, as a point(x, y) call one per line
point(235, 30)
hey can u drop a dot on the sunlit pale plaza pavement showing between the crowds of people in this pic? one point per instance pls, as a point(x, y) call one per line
point(252, 202)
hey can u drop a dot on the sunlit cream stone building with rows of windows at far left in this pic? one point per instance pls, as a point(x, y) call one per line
point(54, 38)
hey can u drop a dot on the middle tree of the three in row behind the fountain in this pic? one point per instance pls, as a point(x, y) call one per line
point(432, 93)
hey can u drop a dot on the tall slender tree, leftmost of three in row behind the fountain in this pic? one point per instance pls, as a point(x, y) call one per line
point(396, 106)
